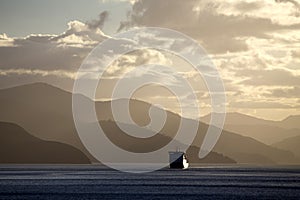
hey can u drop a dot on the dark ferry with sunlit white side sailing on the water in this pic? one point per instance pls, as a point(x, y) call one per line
point(178, 160)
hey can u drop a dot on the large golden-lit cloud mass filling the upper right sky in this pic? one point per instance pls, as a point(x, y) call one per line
point(253, 43)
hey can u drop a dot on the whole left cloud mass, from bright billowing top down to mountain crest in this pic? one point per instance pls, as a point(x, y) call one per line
point(47, 57)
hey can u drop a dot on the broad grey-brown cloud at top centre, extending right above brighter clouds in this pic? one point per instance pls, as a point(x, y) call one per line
point(218, 33)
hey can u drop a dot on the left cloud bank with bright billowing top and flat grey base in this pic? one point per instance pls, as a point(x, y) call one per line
point(50, 52)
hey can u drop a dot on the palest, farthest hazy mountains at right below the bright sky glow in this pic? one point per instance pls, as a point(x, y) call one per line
point(265, 131)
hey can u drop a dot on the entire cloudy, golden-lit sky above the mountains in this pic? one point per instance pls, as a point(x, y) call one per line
point(255, 44)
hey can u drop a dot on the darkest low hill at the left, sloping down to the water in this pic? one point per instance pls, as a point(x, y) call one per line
point(18, 146)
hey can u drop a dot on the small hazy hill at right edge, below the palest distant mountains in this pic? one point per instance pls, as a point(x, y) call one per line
point(290, 144)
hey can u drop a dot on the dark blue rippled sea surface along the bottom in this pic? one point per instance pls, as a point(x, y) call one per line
point(98, 182)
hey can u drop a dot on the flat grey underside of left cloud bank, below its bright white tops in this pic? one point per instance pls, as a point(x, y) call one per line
point(33, 55)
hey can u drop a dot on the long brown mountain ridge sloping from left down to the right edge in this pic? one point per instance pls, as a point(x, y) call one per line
point(55, 107)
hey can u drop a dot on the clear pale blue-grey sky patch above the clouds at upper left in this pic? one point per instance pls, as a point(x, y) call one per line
point(21, 18)
